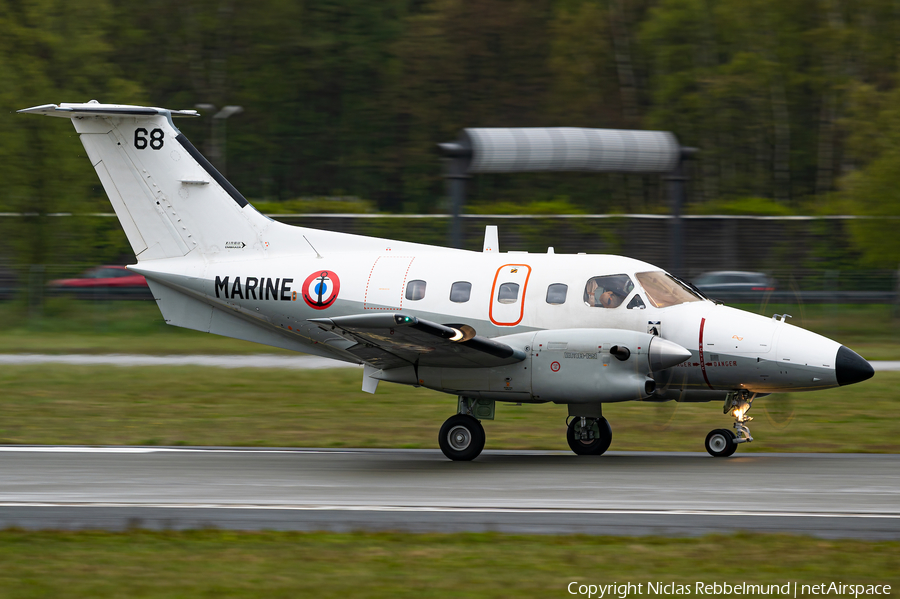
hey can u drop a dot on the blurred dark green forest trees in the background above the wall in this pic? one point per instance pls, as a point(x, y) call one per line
point(794, 105)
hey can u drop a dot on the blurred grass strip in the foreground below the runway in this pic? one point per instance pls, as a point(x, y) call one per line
point(290, 565)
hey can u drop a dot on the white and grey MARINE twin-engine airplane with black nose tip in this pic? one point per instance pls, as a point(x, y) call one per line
point(581, 330)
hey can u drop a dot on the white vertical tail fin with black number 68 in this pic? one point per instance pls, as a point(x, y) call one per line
point(170, 200)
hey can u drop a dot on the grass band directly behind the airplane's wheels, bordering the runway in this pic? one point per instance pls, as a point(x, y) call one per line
point(248, 407)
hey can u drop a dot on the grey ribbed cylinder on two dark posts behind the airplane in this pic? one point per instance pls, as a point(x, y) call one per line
point(542, 149)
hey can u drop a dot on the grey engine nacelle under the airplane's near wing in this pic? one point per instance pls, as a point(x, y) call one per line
point(563, 366)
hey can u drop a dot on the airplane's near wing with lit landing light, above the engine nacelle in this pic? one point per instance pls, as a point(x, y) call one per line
point(391, 340)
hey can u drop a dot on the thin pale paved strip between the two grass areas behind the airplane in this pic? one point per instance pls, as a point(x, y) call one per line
point(298, 362)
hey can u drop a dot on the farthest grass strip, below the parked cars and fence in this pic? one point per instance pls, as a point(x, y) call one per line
point(80, 326)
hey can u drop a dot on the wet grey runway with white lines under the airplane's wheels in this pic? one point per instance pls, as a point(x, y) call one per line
point(633, 493)
